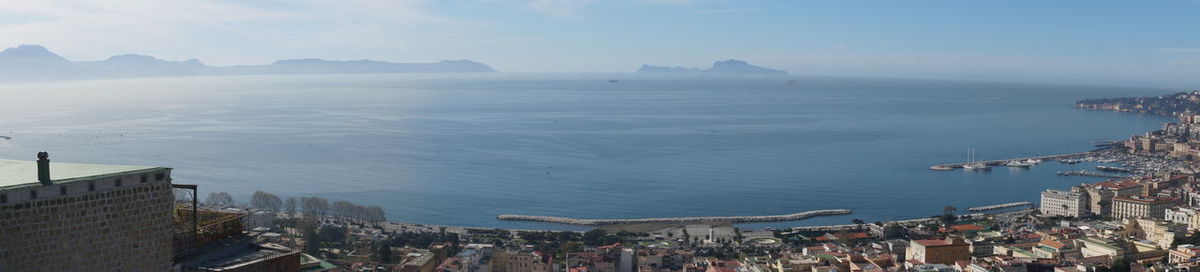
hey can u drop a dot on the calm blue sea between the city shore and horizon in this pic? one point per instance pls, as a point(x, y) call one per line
point(460, 150)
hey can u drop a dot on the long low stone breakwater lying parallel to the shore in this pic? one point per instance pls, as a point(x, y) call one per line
point(676, 220)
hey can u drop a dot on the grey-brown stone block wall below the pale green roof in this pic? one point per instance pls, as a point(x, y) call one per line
point(119, 228)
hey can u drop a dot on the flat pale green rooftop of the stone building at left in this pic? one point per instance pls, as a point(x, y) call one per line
point(25, 173)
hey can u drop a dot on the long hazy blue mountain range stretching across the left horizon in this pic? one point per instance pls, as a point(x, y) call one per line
point(29, 62)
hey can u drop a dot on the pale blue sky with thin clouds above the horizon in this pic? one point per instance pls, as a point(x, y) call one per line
point(1097, 41)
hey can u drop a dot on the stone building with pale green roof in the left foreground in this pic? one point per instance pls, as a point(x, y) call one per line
point(85, 217)
